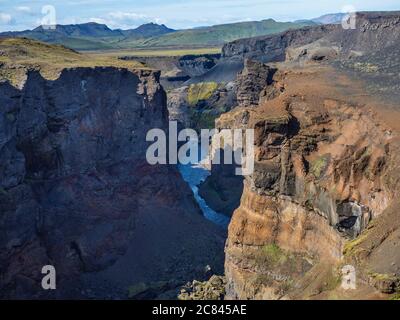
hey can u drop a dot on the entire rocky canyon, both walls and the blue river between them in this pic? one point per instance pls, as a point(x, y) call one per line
point(77, 192)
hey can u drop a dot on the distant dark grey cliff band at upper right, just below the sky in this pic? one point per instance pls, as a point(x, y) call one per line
point(373, 31)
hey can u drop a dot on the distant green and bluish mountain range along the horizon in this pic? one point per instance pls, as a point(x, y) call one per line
point(95, 36)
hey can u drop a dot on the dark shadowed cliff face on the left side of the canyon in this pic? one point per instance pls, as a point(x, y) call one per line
point(76, 191)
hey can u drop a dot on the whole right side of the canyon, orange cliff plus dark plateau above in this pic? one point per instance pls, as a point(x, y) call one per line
point(323, 194)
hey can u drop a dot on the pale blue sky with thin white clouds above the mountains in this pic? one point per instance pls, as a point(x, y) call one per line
point(178, 14)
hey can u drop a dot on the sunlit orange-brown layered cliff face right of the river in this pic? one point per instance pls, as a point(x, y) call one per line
point(320, 177)
